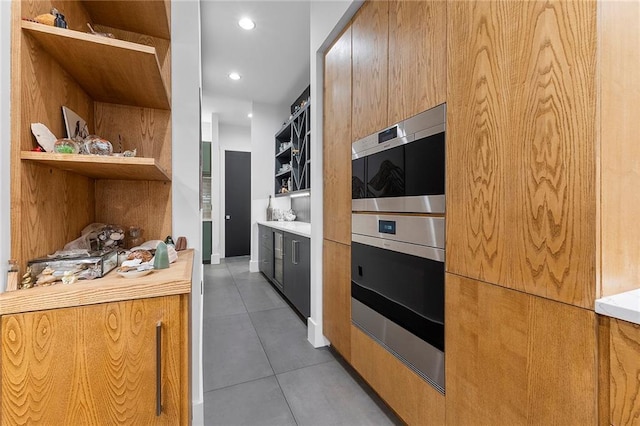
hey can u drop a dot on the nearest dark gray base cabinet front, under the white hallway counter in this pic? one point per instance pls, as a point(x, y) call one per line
point(297, 271)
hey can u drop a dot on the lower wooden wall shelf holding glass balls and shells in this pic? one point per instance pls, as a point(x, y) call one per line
point(101, 167)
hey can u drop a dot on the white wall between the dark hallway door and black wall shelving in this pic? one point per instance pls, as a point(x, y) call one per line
point(267, 120)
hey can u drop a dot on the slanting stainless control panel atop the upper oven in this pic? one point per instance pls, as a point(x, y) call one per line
point(425, 124)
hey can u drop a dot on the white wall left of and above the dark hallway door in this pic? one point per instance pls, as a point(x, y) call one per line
point(231, 138)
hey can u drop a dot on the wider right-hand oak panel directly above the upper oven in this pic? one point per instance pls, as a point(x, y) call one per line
point(417, 57)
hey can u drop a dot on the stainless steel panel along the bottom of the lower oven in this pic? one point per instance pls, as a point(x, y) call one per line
point(420, 356)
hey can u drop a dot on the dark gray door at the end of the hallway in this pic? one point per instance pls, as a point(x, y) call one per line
point(237, 201)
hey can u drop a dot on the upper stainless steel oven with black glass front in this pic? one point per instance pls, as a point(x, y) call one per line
point(402, 168)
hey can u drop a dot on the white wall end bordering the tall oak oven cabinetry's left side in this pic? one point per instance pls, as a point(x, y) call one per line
point(327, 21)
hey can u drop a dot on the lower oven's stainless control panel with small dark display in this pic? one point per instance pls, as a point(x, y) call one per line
point(422, 230)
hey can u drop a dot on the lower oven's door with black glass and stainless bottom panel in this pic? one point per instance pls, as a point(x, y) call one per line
point(397, 294)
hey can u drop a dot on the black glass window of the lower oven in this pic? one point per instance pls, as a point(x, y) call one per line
point(406, 289)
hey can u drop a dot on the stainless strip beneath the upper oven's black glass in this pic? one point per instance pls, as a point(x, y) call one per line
point(413, 204)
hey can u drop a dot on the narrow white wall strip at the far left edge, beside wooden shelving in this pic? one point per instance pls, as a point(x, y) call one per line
point(5, 139)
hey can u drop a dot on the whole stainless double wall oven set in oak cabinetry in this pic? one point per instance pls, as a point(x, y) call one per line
point(397, 250)
